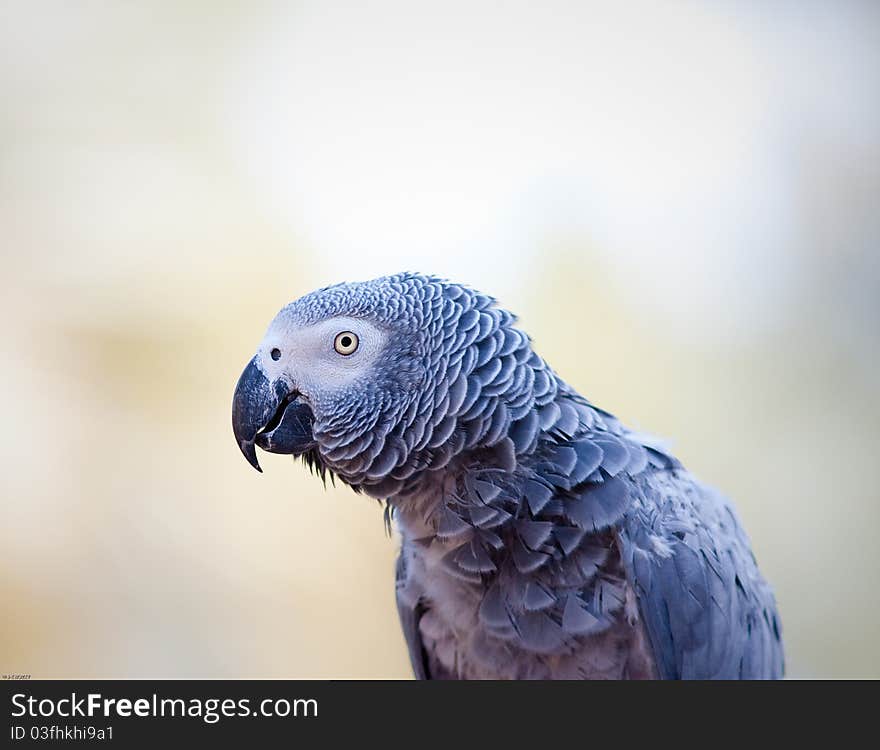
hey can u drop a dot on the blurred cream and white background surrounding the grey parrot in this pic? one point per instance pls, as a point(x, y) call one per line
point(681, 200)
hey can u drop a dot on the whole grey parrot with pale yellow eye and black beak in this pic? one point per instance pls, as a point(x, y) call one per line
point(542, 539)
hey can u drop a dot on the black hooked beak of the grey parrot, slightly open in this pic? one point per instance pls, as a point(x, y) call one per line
point(269, 414)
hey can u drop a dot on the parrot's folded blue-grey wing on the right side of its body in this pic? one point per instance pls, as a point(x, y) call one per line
point(708, 611)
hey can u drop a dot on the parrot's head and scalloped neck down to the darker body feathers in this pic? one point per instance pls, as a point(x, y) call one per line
point(376, 381)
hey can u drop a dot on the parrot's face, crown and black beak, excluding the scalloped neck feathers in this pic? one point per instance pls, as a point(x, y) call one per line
point(334, 365)
